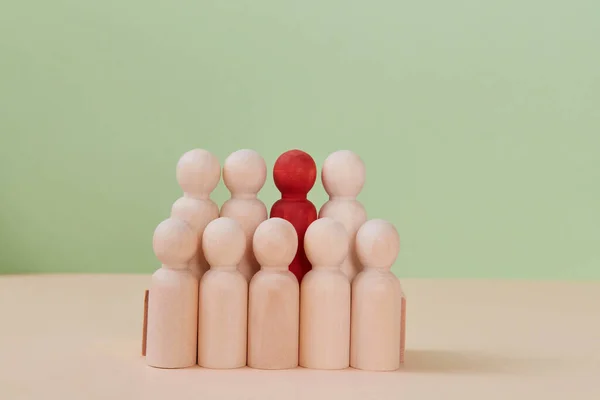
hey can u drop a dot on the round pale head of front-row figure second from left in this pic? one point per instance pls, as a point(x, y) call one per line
point(223, 242)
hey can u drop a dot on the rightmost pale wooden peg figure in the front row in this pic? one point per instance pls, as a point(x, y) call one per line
point(376, 300)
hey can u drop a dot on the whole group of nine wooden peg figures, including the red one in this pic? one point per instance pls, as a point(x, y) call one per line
point(238, 287)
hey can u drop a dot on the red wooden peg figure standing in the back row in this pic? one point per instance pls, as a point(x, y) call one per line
point(294, 174)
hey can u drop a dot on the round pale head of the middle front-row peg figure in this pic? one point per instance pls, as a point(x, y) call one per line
point(275, 243)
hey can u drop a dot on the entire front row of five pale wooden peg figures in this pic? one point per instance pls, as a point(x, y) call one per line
point(327, 322)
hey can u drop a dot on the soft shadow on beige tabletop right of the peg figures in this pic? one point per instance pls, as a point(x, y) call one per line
point(470, 362)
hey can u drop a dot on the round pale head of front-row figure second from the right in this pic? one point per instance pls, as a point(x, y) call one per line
point(326, 243)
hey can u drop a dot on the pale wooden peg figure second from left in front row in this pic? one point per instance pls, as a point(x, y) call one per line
point(223, 299)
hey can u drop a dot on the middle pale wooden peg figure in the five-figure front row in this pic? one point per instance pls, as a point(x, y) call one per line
point(273, 313)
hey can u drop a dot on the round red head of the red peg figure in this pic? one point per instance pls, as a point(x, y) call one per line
point(295, 173)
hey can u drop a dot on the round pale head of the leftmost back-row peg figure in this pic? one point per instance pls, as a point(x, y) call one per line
point(198, 173)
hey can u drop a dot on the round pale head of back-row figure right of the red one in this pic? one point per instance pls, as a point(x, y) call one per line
point(343, 174)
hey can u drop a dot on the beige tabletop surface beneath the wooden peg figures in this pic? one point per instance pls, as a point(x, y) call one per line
point(78, 337)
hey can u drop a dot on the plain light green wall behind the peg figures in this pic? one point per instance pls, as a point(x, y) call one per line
point(478, 121)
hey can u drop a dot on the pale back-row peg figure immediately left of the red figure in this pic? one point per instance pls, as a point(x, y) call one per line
point(244, 174)
